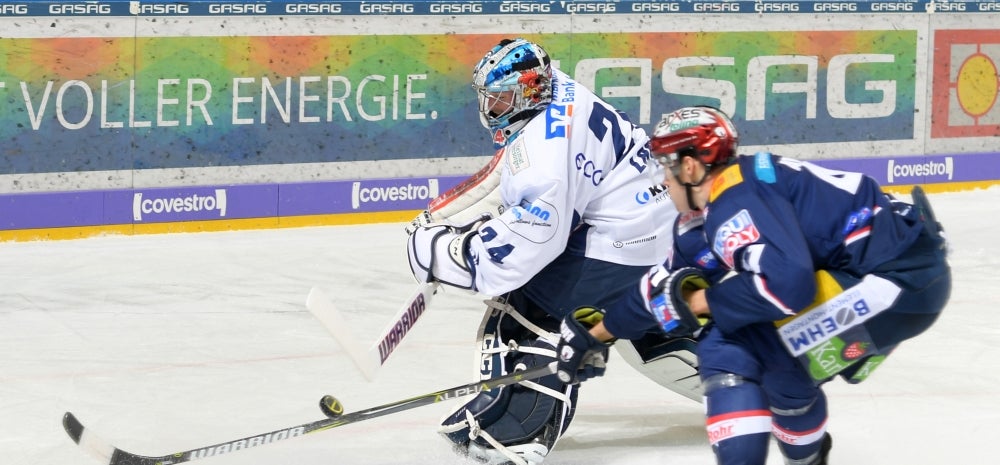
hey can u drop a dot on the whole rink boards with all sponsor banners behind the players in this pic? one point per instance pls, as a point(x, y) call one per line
point(133, 117)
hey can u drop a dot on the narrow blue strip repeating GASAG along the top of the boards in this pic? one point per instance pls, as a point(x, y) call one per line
point(437, 7)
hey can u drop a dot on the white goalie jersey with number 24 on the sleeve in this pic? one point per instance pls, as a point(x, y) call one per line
point(577, 169)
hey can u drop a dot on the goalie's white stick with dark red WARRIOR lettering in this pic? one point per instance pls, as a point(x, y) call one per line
point(370, 360)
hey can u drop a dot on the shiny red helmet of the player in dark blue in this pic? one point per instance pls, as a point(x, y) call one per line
point(704, 133)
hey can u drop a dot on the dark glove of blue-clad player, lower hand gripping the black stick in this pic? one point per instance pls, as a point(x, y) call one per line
point(581, 356)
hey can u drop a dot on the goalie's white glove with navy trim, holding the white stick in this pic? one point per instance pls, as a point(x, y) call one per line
point(440, 252)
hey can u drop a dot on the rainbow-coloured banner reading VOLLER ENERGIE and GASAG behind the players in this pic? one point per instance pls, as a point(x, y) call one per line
point(106, 104)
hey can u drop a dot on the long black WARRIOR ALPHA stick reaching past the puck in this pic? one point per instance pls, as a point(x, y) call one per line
point(112, 455)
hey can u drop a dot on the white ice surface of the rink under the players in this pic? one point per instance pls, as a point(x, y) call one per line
point(163, 343)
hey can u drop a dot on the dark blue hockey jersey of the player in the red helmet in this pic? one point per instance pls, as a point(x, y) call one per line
point(776, 220)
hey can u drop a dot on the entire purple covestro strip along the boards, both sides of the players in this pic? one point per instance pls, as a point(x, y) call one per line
point(240, 202)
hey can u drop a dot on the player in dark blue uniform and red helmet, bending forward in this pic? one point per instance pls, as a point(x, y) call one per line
point(825, 275)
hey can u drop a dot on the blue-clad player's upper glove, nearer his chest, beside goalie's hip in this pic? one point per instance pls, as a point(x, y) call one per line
point(667, 304)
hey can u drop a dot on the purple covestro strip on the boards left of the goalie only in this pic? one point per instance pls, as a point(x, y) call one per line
point(227, 202)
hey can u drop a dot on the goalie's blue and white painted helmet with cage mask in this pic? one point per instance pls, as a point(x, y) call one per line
point(513, 83)
